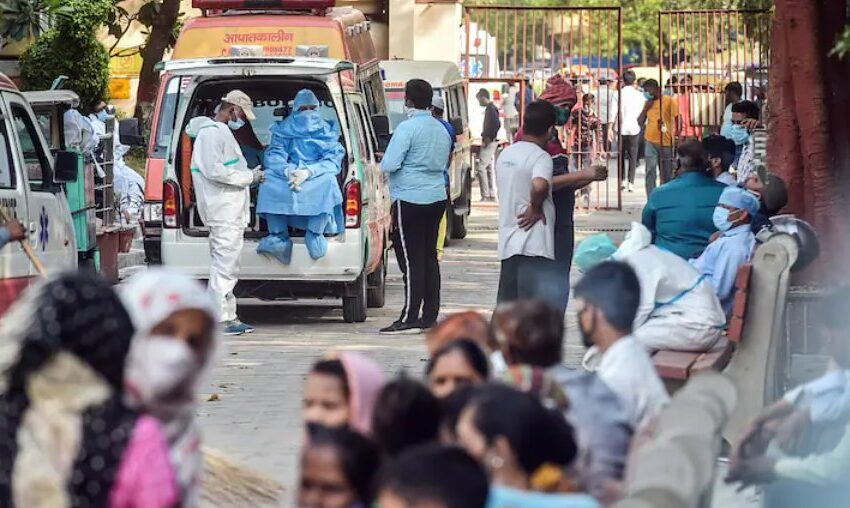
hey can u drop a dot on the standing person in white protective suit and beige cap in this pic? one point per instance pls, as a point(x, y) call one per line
point(221, 178)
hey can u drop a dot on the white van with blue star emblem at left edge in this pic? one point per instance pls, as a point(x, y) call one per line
point(31, 179)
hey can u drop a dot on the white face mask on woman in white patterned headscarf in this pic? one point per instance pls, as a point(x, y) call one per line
point(159, 368)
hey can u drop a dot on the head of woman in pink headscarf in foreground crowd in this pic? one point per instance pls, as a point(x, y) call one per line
point(341, 391)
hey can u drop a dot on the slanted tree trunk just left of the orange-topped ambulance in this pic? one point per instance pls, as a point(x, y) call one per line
point(158, 42)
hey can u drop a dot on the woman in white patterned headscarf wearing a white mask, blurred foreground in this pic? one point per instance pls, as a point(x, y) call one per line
point(175, 338)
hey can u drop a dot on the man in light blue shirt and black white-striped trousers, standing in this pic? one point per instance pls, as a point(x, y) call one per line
point(415, 161)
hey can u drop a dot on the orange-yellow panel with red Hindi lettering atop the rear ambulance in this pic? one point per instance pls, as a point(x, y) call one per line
point(214, 41)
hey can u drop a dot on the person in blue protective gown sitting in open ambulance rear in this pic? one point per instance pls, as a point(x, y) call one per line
point(301, 189)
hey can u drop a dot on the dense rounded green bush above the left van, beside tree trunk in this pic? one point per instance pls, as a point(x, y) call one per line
point(71, 48)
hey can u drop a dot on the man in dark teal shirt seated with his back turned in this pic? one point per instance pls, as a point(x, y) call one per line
point(679, 213)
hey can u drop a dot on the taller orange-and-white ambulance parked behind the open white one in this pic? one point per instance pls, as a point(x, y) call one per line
point(267, 28)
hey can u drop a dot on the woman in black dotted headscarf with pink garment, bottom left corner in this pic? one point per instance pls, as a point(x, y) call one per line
point(66, 436)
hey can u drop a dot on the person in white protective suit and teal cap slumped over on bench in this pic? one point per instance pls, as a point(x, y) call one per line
point(678, 308)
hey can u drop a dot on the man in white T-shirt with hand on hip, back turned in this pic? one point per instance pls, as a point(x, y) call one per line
point(527, 212)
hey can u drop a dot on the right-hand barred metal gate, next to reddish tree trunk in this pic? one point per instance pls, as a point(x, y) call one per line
point(702, 51)
